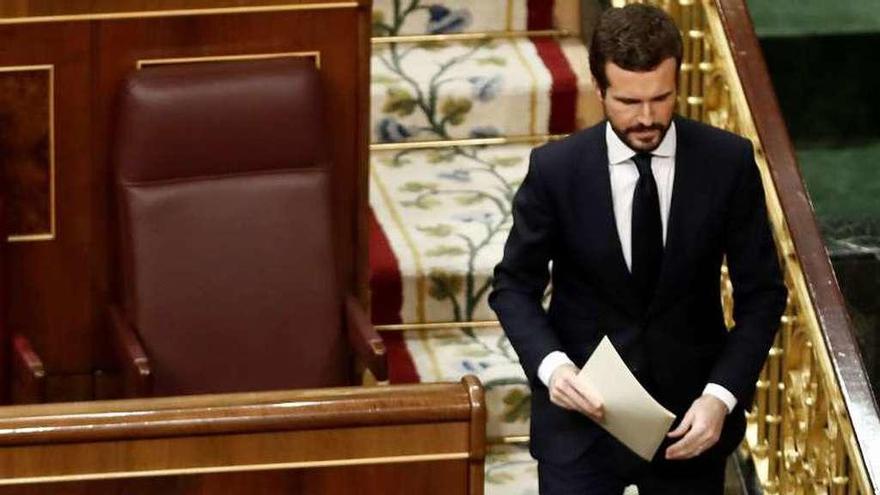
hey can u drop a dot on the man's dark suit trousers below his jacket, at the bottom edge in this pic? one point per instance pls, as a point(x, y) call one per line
point(598, 472)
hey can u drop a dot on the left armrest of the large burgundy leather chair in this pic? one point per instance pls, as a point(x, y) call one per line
point(136, 372)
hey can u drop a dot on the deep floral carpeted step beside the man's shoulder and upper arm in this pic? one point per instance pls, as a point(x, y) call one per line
point(440, 218)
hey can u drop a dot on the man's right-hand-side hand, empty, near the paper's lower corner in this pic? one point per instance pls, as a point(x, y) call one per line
point(701, 428)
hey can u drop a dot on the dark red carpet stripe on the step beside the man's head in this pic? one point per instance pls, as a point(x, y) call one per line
point(564, 92)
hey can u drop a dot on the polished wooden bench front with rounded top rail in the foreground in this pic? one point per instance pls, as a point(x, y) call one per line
point(393, 429)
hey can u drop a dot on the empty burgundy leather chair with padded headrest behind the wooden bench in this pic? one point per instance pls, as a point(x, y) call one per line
point(230, 277)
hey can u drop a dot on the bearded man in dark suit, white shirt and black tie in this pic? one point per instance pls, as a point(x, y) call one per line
point(636, 215)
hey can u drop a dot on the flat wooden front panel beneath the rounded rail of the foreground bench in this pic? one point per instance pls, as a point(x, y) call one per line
point(272, 450)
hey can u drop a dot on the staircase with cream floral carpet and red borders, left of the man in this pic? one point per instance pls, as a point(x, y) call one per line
point(461, 93)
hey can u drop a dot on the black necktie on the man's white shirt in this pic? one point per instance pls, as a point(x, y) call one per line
point(647, 230)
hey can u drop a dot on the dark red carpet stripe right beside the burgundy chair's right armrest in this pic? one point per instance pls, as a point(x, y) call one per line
point(386, 287)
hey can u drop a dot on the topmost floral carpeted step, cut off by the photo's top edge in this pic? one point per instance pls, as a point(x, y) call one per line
point(415, 17)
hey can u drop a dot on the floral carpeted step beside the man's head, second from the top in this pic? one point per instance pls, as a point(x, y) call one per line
point(475, 89)
